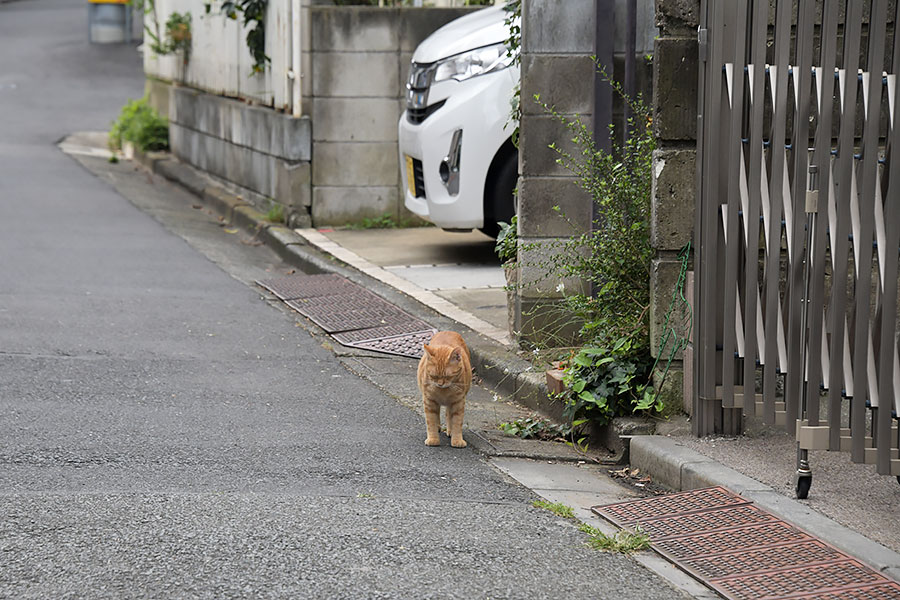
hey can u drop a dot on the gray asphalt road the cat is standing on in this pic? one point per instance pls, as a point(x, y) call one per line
point(166, 432)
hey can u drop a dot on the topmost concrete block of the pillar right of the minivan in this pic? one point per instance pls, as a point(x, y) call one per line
point(558, 27)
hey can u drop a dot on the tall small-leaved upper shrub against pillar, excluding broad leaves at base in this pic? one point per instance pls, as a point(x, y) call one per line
point(614, 256)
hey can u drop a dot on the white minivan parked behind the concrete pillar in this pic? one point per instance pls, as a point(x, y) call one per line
point(457, 160)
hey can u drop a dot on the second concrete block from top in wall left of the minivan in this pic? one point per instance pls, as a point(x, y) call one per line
point(355, 74)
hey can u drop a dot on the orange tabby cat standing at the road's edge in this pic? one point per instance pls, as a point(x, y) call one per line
point(445, 376)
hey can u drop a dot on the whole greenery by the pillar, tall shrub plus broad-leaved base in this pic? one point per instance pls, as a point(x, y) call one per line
point(609, 376)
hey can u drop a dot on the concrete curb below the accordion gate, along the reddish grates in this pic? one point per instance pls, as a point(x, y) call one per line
point(680, 468)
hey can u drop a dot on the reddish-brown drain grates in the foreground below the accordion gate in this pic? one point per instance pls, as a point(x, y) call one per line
point(744, 552)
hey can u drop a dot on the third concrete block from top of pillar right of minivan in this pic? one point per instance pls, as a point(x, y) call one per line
point(537, 132)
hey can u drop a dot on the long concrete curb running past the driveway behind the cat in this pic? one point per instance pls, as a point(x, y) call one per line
point(495, 363)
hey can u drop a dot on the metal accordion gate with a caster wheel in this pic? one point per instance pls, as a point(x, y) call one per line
point(797, 231)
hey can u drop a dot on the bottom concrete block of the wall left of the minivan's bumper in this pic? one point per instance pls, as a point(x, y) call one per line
point(345, 205)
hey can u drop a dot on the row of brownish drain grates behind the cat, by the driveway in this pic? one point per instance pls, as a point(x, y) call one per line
point(353, 315)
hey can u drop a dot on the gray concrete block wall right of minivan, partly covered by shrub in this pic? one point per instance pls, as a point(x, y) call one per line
point(557, 45)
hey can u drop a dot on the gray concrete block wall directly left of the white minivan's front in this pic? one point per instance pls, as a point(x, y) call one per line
point(359, 59)
